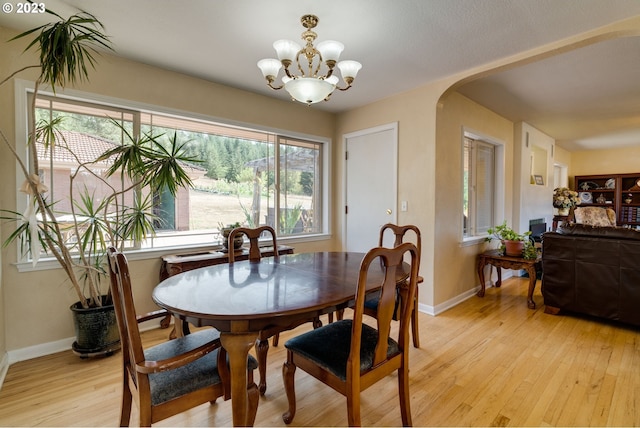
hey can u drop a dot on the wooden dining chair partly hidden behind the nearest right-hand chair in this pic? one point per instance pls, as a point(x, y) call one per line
point(400, 234)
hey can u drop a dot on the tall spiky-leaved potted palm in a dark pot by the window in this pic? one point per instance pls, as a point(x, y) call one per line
point(143, 165)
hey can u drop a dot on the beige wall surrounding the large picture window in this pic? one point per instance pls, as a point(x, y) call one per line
point(35, 306)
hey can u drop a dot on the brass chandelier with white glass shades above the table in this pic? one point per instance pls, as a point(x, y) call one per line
point(310, 86)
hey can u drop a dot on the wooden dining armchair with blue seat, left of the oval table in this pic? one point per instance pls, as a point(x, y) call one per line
point(173, 376)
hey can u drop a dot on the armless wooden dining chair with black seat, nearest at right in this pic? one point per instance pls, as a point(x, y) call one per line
point(349, 355)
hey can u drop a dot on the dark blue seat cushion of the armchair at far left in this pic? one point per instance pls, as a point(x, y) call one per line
point(201, 373)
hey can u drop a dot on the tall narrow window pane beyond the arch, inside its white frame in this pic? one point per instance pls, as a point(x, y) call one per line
point(479, 187)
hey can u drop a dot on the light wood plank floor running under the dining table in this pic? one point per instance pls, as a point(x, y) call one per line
point(487, 362)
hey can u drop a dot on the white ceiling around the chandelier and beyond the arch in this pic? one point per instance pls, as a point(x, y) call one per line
point(587, 98)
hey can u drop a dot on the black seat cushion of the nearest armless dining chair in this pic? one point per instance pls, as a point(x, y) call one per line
point(329, 346)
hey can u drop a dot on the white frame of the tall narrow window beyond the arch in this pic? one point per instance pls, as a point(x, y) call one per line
point(498, 188)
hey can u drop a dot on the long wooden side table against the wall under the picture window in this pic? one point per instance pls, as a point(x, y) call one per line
point(175, 263)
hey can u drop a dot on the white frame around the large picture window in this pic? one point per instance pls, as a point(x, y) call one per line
point(22, 89)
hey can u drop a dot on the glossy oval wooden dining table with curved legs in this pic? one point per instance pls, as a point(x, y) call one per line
point(243, 298)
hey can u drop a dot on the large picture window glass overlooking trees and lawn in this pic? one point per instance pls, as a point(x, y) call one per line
point(246, 176)
